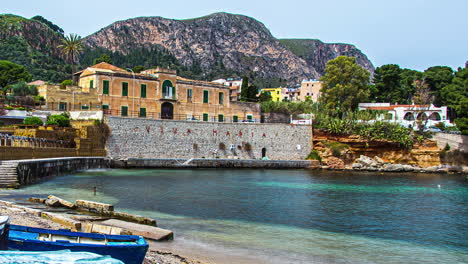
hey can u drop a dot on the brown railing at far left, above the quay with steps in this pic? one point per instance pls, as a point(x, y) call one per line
point(16, 141)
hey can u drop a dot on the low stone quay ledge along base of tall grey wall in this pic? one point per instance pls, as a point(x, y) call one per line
point(214, 163)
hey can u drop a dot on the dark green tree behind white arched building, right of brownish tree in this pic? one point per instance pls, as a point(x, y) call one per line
point(438, 77)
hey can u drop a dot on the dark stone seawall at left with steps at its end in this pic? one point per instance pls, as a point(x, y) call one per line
point(23, 172)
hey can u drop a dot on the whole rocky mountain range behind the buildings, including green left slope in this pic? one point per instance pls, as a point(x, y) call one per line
point(214, 46)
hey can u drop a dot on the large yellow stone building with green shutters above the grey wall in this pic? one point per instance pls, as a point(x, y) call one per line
point(153, 93)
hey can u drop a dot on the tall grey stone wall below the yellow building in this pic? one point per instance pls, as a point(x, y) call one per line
point(142, 138)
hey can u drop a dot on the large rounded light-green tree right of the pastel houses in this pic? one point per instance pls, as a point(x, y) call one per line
point(345, 85)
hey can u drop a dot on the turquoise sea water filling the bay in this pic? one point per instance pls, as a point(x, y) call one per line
point(289, 216)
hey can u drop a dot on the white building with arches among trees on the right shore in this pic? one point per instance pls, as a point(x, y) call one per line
point(409, 115)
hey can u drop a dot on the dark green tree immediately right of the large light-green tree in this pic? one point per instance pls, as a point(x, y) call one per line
point(387, 84)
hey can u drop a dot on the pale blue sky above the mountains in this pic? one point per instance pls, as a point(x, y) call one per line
point(414, 34)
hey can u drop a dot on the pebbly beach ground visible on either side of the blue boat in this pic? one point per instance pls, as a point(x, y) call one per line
point(19, 217)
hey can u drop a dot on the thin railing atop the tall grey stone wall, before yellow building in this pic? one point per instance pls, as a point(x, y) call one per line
point(183, 117)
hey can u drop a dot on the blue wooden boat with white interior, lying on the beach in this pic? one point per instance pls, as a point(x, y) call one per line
point(129, 249)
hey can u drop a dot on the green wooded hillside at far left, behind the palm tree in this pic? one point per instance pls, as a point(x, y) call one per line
point(33, 44)
